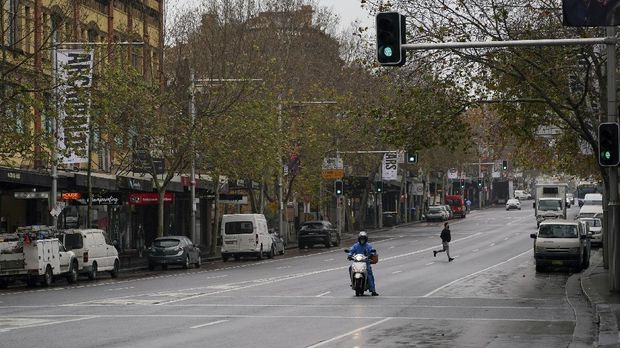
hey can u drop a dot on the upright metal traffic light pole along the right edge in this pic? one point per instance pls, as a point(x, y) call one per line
point(612, 211)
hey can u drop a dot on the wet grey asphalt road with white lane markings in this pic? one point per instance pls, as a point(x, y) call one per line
point(490, 296)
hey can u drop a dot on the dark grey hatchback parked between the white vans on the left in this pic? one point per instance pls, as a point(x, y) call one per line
point(173, 250)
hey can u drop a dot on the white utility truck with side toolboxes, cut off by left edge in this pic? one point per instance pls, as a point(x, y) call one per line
point(25, 257)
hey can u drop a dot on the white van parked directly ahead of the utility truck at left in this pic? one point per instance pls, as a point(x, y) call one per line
point(93, 252)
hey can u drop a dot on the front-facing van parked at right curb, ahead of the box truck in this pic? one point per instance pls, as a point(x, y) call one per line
point(561, 243)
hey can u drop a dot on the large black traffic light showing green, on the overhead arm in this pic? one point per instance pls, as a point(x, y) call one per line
point(391, 33)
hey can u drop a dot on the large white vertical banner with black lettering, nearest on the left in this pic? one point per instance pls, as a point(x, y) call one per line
point(75, 72)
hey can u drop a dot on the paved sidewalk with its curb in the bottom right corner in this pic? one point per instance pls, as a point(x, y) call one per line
point(606, 304)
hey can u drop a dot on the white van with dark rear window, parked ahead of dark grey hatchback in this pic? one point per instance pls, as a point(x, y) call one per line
point(245, 234)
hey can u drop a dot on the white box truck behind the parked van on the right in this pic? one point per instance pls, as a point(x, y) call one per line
point(550, 202)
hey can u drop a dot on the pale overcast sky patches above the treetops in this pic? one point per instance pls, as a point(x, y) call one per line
point(347, 10)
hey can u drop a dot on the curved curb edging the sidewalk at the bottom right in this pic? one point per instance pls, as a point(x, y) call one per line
point(604, 316)
